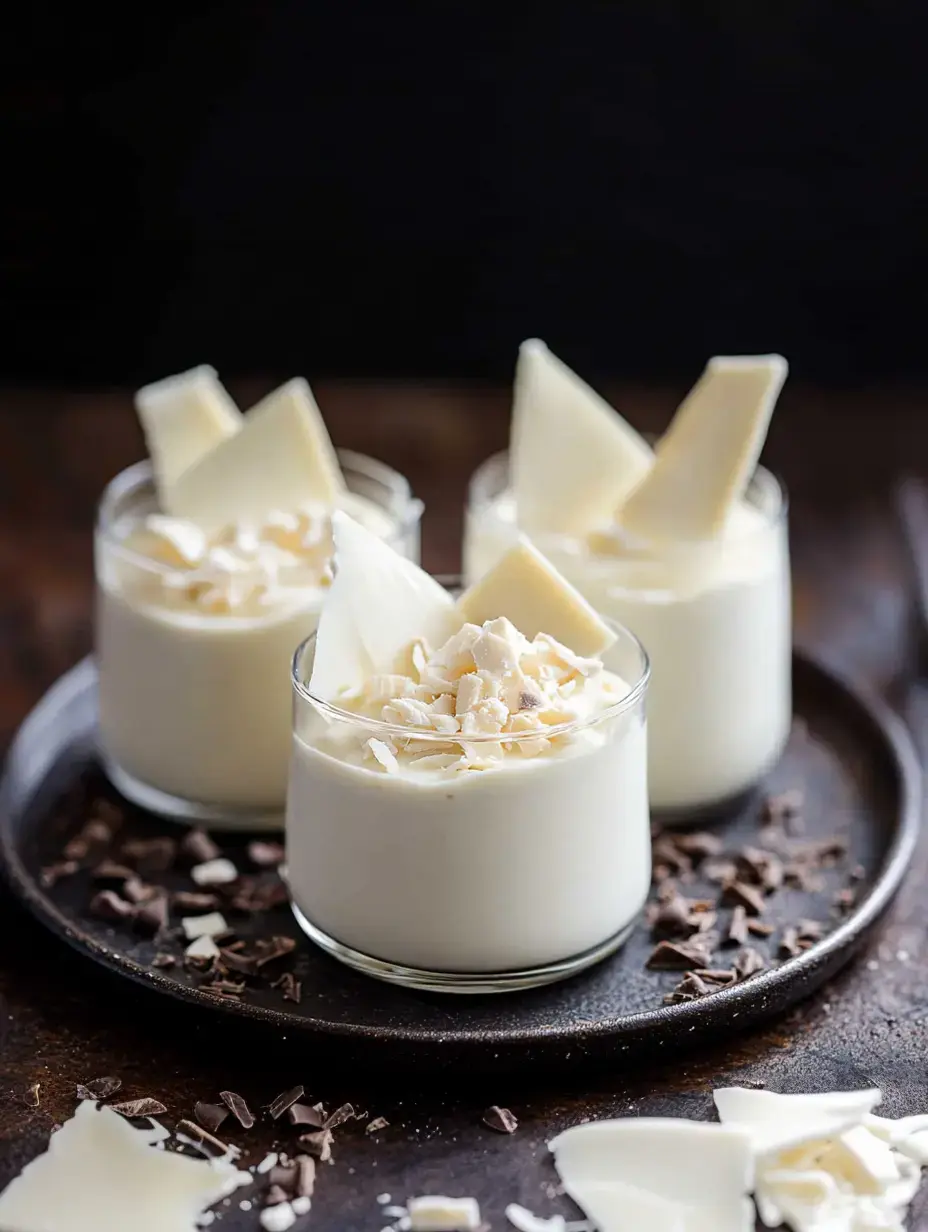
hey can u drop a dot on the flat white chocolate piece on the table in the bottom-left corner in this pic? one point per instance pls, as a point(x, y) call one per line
point(102, 1175)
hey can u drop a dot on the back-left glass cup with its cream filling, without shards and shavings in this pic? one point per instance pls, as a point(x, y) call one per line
point(195, 707)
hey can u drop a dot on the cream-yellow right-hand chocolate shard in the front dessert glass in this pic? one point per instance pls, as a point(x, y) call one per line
point(526, 588)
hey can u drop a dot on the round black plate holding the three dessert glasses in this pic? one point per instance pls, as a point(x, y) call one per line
point(849, 753)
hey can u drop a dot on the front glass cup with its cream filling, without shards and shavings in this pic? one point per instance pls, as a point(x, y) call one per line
point(476, 881)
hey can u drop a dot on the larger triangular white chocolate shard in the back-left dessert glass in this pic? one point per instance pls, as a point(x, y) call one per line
point(282, 460)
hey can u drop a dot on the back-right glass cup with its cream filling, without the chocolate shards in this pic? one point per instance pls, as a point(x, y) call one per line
point(715, 619)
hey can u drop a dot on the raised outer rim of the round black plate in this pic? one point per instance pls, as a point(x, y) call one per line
point(816, 964)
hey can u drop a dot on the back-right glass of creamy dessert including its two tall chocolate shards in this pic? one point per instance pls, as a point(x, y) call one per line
point(686, 545)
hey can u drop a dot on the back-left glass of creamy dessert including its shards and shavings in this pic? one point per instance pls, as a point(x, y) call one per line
point(213, 562)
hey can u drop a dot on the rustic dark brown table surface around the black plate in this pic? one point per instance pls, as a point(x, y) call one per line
point(63, 1022)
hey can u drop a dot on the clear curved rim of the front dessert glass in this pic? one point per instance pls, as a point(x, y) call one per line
point(628, 703)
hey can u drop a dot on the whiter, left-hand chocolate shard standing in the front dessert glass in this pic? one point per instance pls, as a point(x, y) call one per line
point(378, 606)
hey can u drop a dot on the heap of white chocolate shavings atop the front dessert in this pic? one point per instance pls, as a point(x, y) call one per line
point(490, 691)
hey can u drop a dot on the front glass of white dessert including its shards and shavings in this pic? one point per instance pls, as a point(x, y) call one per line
point(468, 804)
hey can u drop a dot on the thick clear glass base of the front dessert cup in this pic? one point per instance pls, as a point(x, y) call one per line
point(460, 981)
